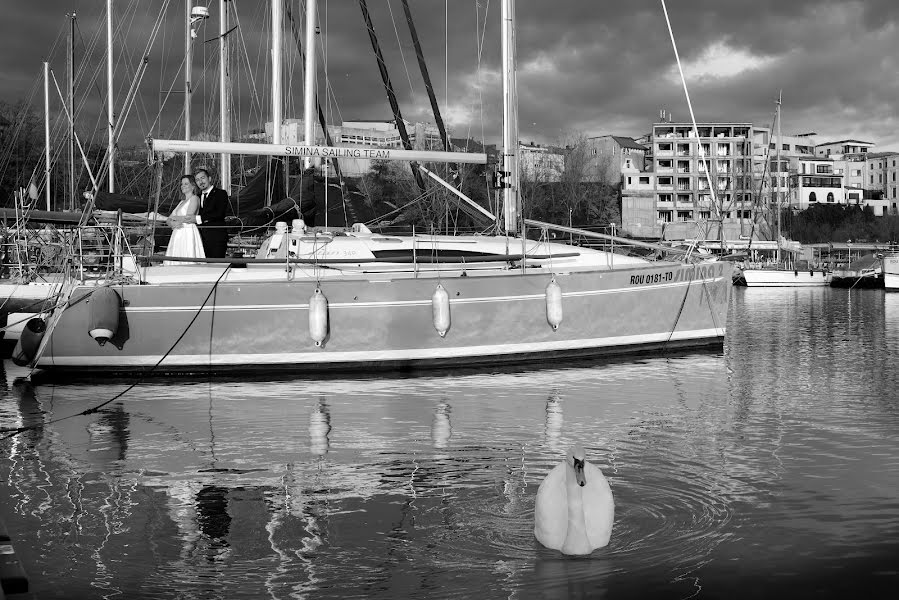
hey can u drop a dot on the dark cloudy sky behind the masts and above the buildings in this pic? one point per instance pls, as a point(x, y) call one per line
point(585, 67)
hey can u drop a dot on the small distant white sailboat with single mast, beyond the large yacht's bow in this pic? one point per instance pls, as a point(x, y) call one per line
point(784, 272)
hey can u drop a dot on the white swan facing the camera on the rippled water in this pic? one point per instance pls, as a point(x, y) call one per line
point(574, 509)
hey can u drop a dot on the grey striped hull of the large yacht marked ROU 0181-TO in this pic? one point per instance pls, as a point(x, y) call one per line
point(386, 321)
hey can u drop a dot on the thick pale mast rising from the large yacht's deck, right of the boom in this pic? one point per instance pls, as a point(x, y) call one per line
point(510, 121)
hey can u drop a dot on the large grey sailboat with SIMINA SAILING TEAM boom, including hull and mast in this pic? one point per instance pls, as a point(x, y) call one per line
point(316, 300)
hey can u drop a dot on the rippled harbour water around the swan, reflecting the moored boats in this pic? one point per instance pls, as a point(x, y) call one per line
point(768, 468)
